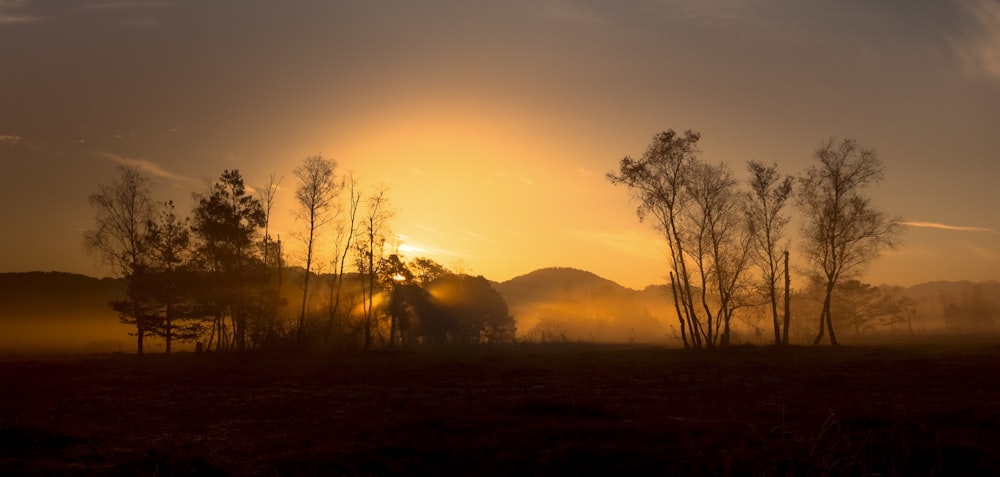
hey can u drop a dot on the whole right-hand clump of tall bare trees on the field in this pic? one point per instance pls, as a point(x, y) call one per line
point(720, 231)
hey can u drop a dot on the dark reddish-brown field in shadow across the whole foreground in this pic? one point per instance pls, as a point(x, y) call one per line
point(525, 410)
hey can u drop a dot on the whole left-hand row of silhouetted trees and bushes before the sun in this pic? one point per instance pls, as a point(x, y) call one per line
point(217, 277)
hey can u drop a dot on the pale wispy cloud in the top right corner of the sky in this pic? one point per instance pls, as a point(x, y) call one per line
point(978, 47)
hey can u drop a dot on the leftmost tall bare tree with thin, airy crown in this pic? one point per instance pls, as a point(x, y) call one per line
point(123, 212)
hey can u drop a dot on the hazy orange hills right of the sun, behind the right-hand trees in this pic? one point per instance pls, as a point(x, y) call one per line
point(554, 304)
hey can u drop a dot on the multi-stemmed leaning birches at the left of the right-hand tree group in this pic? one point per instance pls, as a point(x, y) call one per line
point(697, 209)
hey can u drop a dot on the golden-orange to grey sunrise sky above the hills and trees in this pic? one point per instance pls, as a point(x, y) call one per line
point(493, 124)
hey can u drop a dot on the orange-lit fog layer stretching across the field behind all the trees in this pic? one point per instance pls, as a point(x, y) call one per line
point(65, 313)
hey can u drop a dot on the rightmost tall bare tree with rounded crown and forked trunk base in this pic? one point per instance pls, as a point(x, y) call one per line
point(842, 231)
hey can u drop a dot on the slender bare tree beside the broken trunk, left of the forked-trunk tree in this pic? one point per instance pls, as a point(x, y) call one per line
point(769, 192)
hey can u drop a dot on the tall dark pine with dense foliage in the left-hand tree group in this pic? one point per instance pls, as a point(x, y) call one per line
point(226, 223)
